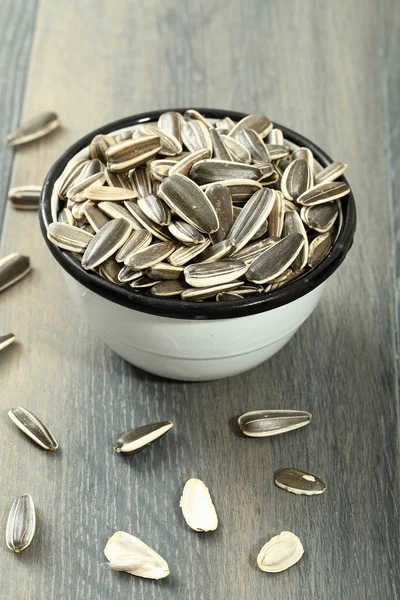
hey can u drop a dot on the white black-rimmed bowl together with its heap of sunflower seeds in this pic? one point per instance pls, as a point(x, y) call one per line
point(196, 241)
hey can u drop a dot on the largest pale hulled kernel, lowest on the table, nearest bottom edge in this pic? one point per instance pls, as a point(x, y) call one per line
point(127, 553)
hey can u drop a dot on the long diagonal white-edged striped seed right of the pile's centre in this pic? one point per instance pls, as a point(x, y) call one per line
point(252, 216)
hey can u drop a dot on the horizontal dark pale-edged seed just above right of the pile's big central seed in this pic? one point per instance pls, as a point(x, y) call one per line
point(212, 170)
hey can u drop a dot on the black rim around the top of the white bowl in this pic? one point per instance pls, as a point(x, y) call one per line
point(176, 308)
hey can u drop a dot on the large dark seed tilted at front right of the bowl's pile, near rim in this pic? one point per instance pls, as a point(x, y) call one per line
point(276, 259)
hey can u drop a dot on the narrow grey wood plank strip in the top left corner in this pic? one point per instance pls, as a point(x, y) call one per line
point(17, 20)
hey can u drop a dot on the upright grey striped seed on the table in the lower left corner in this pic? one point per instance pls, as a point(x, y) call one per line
point(21, 524)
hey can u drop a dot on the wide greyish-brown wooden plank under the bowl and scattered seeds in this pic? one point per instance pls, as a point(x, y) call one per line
point(93, 63)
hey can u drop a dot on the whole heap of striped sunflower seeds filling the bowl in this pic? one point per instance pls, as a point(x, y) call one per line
point(216, 204)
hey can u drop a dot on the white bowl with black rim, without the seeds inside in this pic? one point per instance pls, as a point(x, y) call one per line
point(186, 340)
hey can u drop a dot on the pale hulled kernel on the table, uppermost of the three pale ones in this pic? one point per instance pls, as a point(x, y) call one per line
point(197, 507)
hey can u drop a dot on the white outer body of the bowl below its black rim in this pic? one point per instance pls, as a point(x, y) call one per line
point(191, 349)
